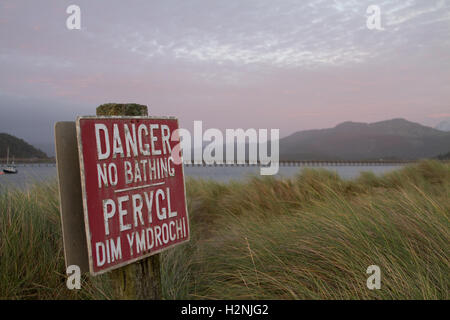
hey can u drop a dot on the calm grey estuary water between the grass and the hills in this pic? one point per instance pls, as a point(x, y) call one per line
point(28, 176)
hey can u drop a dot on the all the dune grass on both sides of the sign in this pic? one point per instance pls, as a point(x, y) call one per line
point(309, 237)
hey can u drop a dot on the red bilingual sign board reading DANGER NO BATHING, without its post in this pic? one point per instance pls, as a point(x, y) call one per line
point(134, 196)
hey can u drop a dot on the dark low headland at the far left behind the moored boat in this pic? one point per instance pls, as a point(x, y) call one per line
point(18, 148)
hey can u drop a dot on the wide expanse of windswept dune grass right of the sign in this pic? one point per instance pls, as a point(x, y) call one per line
point(314, 236)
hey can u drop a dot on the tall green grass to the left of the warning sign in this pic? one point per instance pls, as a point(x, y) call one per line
point(31, 249)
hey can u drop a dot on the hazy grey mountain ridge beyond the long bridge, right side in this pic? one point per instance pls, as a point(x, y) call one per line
point(391, 139)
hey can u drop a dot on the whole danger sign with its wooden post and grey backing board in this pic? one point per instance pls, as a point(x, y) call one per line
point(132, 193)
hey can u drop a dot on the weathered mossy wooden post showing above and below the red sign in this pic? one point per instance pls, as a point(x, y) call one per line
point(140, 280)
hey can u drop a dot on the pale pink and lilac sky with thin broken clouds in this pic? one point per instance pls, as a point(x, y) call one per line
point(291, 65)
